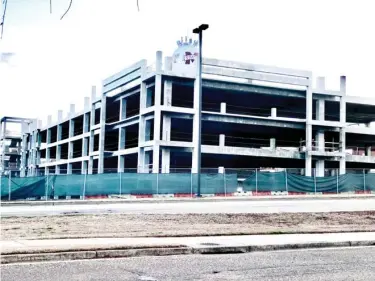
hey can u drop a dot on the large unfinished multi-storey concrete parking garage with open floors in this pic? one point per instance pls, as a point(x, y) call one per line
point(145, 118)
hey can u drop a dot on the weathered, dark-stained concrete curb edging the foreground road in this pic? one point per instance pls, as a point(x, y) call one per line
point(215, 249)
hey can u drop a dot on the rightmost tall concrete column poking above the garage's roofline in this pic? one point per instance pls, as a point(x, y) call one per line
point(343, 124)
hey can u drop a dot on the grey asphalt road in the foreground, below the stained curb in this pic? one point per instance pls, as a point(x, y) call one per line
point(308, 265)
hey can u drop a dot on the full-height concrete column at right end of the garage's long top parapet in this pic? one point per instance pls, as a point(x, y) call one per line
point(308, 157)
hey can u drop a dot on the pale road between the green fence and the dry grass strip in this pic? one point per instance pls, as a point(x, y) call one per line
point(230, 207)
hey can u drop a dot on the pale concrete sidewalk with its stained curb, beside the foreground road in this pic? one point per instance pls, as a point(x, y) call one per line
point(70, 249)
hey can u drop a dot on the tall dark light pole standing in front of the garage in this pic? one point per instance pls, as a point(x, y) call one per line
point(199, 30)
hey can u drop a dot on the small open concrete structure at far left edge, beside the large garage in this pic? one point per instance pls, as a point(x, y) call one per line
point(11, 131)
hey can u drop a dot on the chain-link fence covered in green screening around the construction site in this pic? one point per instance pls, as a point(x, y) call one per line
point(182, 183)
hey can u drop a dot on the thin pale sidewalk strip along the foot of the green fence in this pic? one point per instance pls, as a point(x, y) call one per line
point(187, 199)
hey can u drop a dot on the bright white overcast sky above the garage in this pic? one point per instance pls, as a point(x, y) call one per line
point(58, 61)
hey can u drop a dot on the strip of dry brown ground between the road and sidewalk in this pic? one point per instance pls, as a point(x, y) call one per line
point(122, 225)
